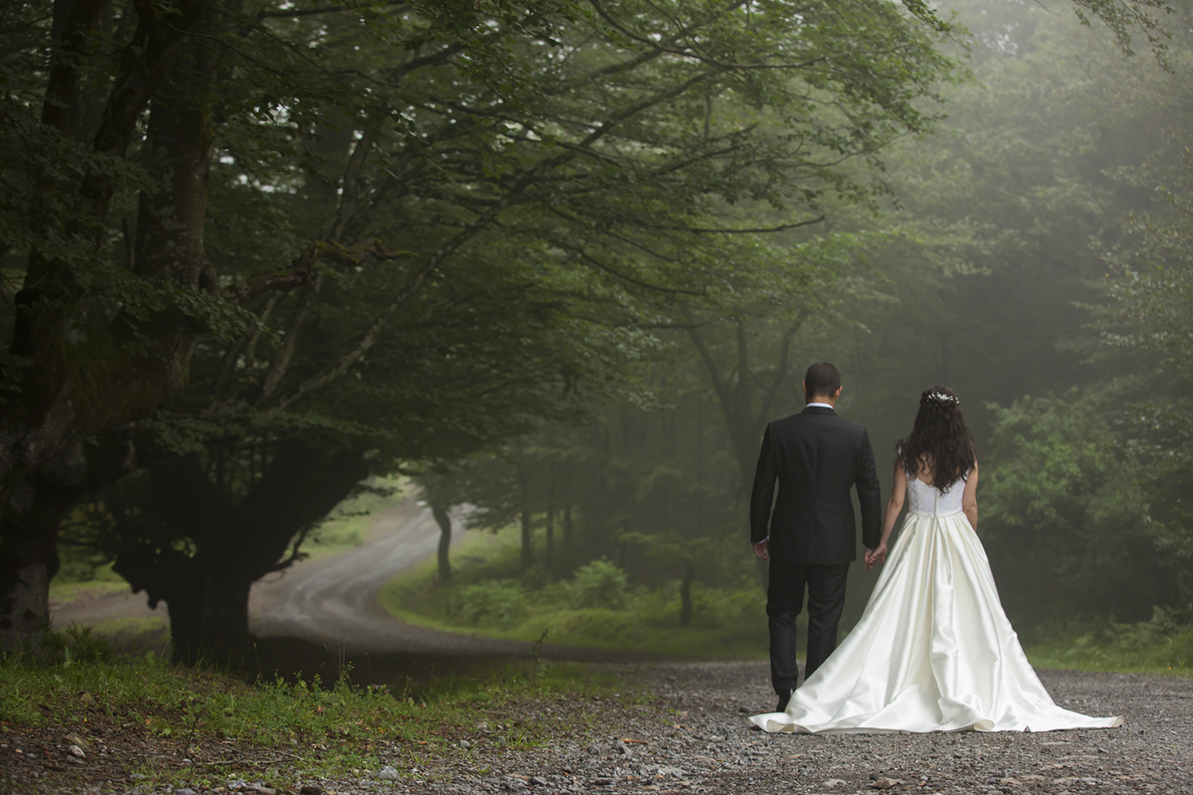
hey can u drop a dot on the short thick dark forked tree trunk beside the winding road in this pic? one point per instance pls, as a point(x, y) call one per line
point(237, 540)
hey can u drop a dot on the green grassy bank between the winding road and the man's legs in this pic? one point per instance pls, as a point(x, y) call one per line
point(490, 596)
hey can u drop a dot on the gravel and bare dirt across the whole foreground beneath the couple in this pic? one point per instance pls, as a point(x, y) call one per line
point(681, 730)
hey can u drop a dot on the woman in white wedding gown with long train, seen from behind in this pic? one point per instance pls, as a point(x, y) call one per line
point(934, 651)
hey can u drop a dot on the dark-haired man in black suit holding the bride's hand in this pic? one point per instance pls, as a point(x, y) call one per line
point(817, 458)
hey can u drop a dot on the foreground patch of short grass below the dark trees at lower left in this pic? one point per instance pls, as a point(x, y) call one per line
point(205, 728)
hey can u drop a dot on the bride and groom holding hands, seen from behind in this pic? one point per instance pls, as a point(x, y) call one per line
point(934, 651)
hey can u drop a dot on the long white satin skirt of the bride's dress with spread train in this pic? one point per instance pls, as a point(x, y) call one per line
point(934, 652)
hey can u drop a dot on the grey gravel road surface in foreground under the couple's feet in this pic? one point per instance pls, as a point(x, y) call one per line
point(690, 735)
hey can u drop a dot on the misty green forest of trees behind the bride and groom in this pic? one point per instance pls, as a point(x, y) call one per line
point(557, 264)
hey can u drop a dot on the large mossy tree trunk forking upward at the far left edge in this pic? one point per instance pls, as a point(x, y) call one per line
point(91, 367)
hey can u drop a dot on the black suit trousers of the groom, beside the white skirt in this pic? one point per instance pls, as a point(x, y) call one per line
point(784, 602)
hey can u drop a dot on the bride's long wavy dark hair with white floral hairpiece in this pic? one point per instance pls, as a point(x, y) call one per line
point(941, 437)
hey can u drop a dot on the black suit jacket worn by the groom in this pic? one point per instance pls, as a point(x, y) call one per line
point(817, 458)
